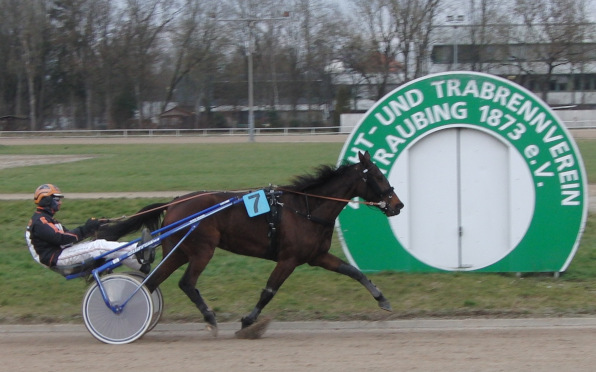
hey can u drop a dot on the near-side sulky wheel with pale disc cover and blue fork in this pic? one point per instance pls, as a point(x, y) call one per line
point(123, 326)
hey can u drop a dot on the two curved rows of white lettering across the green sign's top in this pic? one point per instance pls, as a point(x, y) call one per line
point(507, 112)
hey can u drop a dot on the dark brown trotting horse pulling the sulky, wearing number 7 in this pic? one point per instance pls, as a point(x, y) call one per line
point(298, 230)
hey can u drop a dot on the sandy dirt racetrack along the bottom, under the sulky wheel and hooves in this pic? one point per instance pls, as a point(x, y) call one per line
point(408, 345)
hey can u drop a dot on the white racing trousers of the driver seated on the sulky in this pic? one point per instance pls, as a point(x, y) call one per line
point(83, 251)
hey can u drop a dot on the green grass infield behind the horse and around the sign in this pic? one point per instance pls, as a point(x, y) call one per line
point(231, 284)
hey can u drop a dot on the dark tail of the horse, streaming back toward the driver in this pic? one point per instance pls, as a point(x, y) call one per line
point(149, 216)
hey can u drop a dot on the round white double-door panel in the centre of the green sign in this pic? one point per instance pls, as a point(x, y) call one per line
point(469, 199)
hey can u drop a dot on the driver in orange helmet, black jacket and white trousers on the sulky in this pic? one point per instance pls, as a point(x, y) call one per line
point(52, 244)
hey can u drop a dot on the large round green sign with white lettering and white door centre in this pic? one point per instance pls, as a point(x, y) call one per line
point(491, 179)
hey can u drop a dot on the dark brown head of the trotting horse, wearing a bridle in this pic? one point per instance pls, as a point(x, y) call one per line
point(378, 189)
